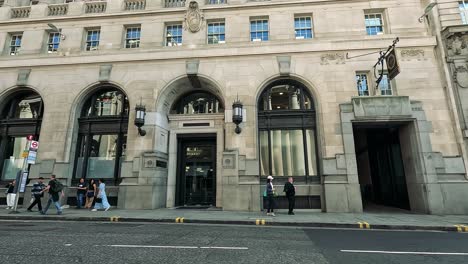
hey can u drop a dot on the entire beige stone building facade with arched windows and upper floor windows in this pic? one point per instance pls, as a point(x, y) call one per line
point(72, 74)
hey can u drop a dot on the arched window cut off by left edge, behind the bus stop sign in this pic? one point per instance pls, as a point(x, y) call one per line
point(20, 116)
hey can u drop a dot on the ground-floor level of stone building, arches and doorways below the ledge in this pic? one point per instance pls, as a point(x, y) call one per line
point(345, 153)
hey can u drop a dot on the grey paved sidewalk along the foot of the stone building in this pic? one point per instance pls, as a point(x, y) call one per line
point(303, 218)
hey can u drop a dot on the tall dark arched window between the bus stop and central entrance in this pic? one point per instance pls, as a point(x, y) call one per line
point(102, 134)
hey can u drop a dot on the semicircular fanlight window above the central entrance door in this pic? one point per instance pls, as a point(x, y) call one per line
point(199, 102)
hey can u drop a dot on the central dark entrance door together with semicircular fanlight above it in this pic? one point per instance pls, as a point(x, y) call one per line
point(197, 152)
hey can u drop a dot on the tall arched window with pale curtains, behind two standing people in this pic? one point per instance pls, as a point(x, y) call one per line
point(287, 131)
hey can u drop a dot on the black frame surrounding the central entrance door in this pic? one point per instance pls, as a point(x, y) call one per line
point(192, 139)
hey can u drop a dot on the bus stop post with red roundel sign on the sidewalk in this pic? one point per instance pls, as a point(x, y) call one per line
point(29, 155)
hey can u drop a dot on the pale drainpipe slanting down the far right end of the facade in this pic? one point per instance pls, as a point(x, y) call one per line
point(453, 100)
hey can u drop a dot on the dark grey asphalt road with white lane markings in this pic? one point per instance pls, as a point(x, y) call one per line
point(87, 242)
